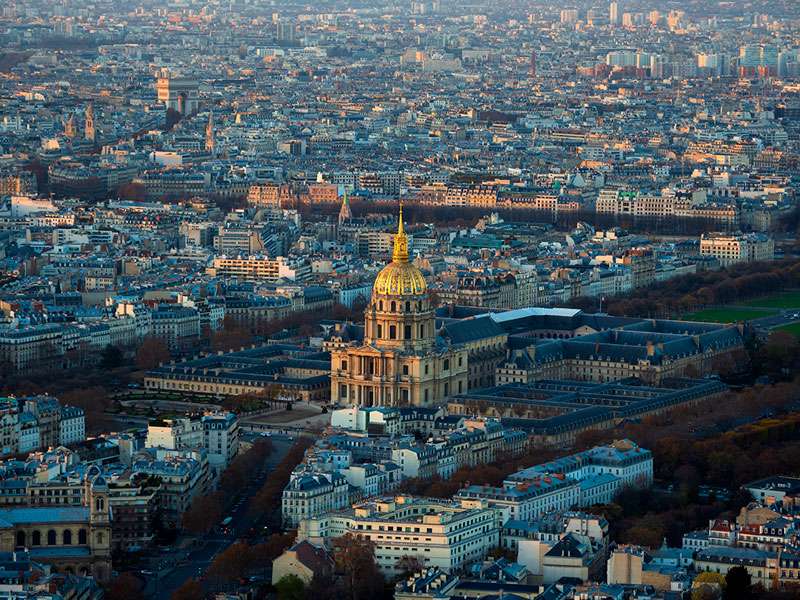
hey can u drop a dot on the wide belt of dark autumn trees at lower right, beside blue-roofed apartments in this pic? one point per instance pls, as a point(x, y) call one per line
point(721, 442)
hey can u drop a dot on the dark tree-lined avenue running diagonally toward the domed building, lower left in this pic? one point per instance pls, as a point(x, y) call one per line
point(192, 563)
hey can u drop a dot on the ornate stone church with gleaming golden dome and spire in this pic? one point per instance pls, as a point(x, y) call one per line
point(401, 361)
